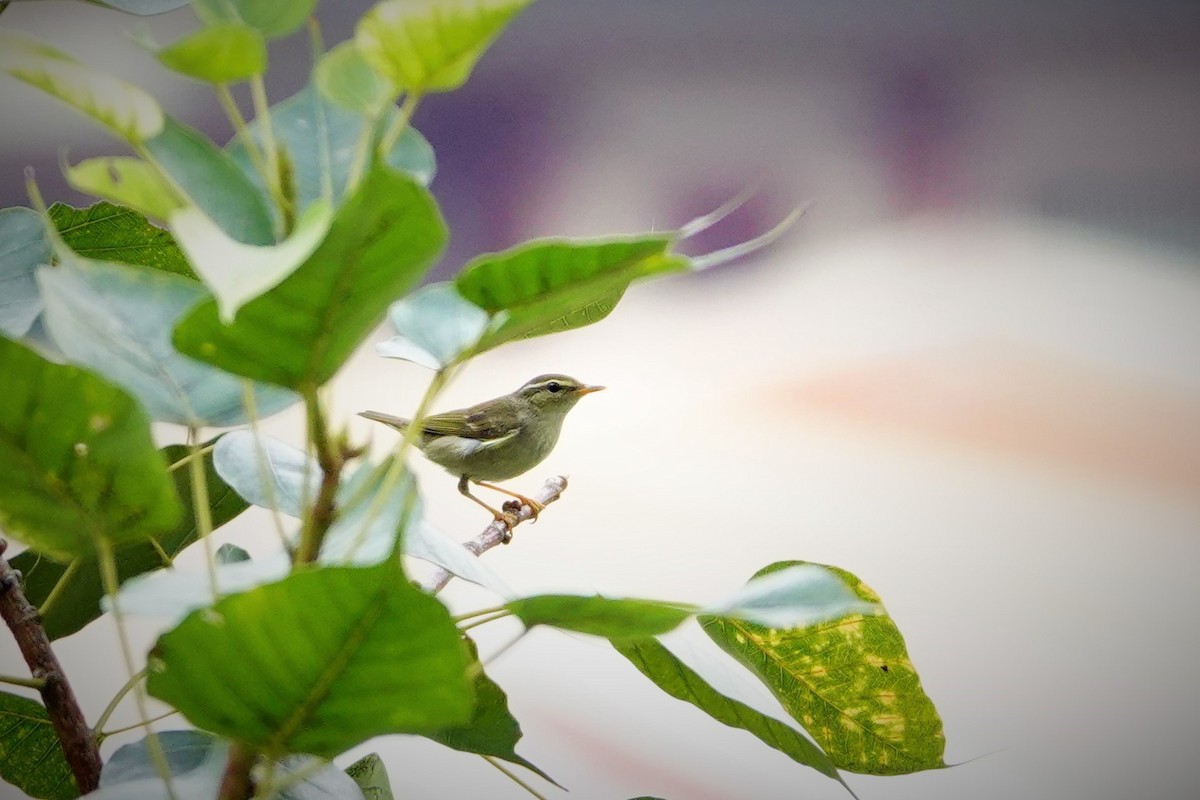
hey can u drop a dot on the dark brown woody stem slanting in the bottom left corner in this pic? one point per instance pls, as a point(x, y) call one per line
point(79, 747)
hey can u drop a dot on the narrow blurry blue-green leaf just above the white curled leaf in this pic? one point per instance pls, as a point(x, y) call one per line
point(211, 181)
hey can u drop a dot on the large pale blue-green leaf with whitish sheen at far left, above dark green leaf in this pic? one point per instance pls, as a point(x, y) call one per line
point(119, 320)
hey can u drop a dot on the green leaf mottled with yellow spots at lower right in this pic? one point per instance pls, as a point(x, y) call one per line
point(848, 682)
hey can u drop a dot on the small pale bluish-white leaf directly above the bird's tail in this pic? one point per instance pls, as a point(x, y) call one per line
point(435, 327)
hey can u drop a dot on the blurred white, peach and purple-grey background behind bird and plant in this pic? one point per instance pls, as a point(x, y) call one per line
point(970, 375)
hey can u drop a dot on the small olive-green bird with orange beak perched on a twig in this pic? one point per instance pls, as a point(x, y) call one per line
point(500, 438)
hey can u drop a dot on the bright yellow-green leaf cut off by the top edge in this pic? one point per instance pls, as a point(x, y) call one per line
point(433, 46)
